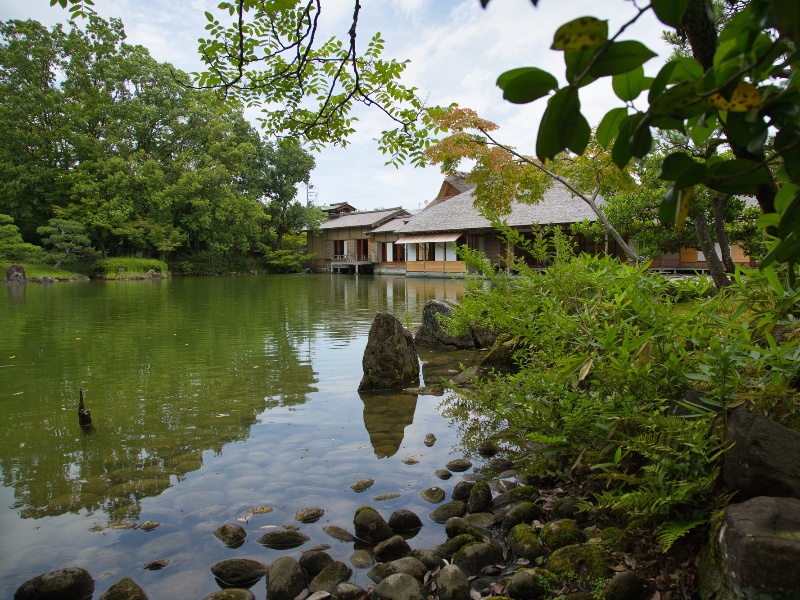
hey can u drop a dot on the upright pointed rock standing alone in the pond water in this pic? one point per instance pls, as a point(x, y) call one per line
point(390, 358)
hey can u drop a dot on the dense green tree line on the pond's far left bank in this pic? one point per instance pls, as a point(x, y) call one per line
point(96, 133)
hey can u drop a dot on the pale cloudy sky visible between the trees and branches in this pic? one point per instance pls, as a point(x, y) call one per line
point(456, 48)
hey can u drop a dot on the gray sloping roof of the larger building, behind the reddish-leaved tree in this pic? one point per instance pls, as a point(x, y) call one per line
point(458, 213)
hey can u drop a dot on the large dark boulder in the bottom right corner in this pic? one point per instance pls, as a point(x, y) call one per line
point(754, 552)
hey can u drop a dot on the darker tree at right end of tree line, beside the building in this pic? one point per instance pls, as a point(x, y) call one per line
point(282, 166)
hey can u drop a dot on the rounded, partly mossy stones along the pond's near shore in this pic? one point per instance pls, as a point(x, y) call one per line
point(504, 535)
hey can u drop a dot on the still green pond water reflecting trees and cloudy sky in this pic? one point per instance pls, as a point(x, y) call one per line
point(209, 397)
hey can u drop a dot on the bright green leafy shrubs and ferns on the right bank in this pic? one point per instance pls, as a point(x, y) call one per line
point(608, 359)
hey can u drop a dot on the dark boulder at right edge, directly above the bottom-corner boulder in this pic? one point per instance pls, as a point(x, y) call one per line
point(764, 459)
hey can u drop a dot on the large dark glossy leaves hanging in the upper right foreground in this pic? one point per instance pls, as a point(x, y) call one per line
point(737, 83)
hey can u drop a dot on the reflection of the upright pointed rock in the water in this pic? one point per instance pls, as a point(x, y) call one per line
point(386, 417)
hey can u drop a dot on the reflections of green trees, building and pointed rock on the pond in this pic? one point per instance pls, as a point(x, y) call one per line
point(172, 370)
